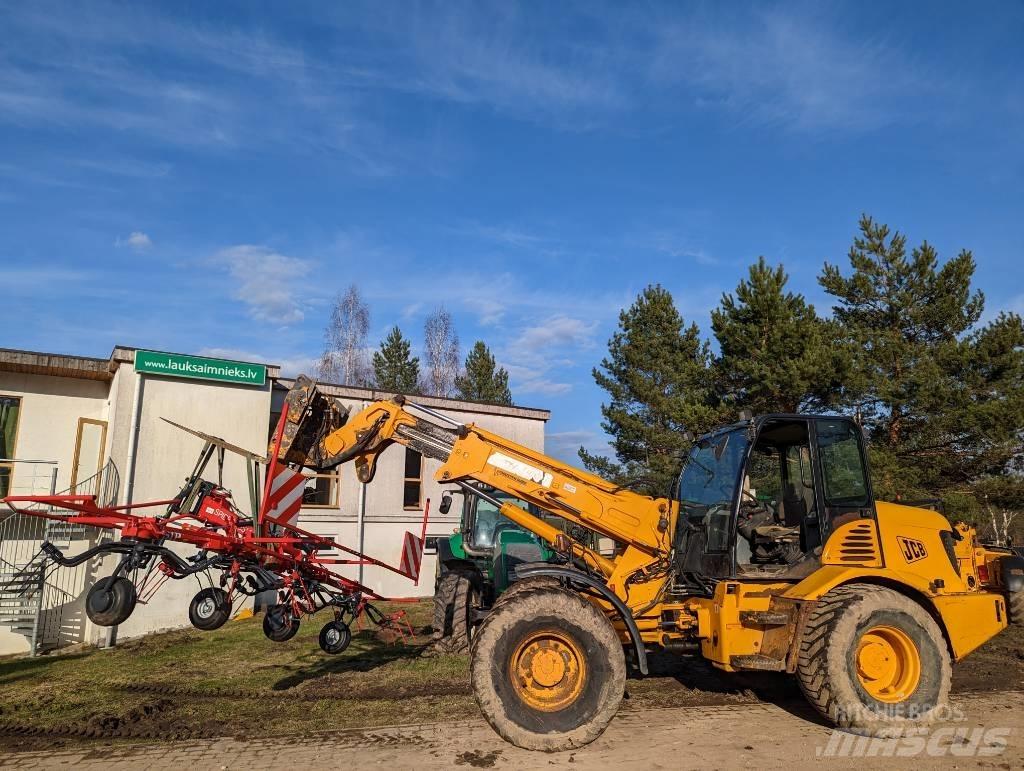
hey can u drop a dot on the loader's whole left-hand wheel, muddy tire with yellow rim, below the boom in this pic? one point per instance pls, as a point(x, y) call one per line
point(588, 677)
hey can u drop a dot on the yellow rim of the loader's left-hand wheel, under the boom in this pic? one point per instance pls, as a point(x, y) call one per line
point(548, 671)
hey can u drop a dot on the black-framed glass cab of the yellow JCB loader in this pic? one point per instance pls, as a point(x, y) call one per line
point(760, 498)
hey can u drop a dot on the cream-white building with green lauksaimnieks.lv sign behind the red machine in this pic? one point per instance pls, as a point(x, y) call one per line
point(95, 425)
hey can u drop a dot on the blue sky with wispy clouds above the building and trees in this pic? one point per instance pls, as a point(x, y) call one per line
point(204, 178)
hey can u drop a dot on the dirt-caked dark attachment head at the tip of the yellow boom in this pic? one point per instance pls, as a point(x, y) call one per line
point(310, 416)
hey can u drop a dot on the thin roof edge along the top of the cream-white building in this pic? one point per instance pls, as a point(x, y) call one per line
point(89, 368)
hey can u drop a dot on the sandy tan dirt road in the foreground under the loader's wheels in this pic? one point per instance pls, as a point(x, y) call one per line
point(988, 734)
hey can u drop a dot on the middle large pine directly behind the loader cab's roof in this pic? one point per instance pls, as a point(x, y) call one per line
point(776, 354)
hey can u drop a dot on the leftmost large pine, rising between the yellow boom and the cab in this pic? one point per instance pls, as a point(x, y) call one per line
point(660, 379)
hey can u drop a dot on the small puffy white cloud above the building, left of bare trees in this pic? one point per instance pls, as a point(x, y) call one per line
point(267, 282)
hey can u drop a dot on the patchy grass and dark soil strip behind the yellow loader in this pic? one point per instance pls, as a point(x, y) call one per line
point(188, 686)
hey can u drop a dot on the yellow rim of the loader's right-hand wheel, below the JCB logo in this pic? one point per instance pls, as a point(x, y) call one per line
point(888, 664)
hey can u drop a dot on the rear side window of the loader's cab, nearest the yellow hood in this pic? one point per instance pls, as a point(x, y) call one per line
point(841, 474)
